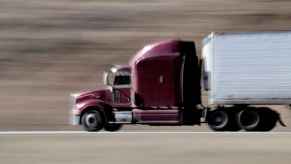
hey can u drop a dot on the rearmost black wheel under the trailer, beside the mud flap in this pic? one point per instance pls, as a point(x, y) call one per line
point(258, 119)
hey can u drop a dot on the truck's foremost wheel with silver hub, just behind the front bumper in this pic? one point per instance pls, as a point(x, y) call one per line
point(92, 121)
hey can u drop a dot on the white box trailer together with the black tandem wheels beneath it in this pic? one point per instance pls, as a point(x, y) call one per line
point(244, 70)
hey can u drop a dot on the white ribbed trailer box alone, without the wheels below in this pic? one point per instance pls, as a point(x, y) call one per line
point(248, 68)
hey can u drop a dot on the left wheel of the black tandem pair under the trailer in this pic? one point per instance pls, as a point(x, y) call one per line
point(223, 120)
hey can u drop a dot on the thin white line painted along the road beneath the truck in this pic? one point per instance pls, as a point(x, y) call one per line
point(136, 132)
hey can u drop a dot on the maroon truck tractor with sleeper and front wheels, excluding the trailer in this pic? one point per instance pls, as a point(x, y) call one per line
point(161, 86)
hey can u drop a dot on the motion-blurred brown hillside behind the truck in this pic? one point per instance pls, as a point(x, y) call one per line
point(50, 48)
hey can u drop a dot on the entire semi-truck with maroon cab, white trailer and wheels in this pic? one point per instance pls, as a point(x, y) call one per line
point(244, 74)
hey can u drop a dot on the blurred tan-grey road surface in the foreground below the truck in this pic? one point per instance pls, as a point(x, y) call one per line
point(144, 148)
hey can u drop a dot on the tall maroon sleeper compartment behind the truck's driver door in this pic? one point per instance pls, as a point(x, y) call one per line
point(166, 74)
